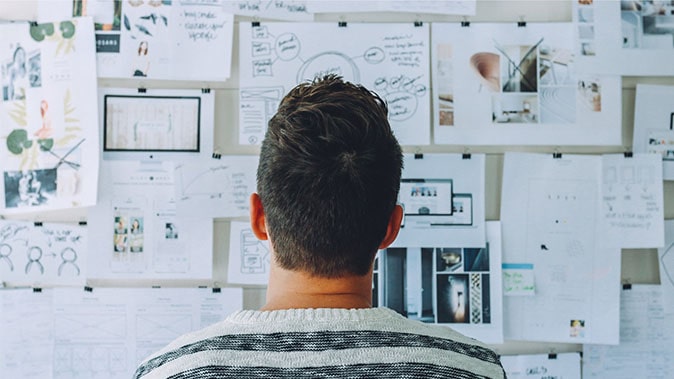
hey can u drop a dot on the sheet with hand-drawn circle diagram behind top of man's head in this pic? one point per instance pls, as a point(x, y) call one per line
point(275, 57)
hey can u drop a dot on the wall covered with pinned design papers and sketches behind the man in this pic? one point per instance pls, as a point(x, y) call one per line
point(106, 112)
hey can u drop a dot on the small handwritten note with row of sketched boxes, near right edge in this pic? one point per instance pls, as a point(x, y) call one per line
point(632, 201)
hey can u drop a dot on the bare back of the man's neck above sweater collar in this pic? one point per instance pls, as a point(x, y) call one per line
point(298, 290)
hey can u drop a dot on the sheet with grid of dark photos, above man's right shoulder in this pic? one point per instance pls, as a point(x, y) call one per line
point(446, 284)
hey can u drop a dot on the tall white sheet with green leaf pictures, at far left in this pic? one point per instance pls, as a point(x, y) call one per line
point(49, 160)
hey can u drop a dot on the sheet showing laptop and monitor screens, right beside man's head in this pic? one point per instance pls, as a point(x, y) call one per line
point(443, 200)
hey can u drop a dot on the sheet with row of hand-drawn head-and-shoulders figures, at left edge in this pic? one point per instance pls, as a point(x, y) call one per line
point(44, 253)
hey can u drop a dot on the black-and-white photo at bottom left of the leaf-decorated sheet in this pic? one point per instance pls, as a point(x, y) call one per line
point(29, 188)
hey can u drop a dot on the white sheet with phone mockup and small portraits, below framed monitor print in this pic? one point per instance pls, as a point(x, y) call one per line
point(136, 232)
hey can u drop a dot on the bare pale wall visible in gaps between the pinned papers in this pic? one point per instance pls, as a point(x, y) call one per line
point(638, 266)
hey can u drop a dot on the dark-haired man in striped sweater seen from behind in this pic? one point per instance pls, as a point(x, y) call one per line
point(328, 182)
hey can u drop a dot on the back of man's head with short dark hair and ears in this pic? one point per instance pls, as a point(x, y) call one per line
point(328, 179)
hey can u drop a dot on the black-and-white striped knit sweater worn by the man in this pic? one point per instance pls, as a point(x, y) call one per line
point(322, 343)
